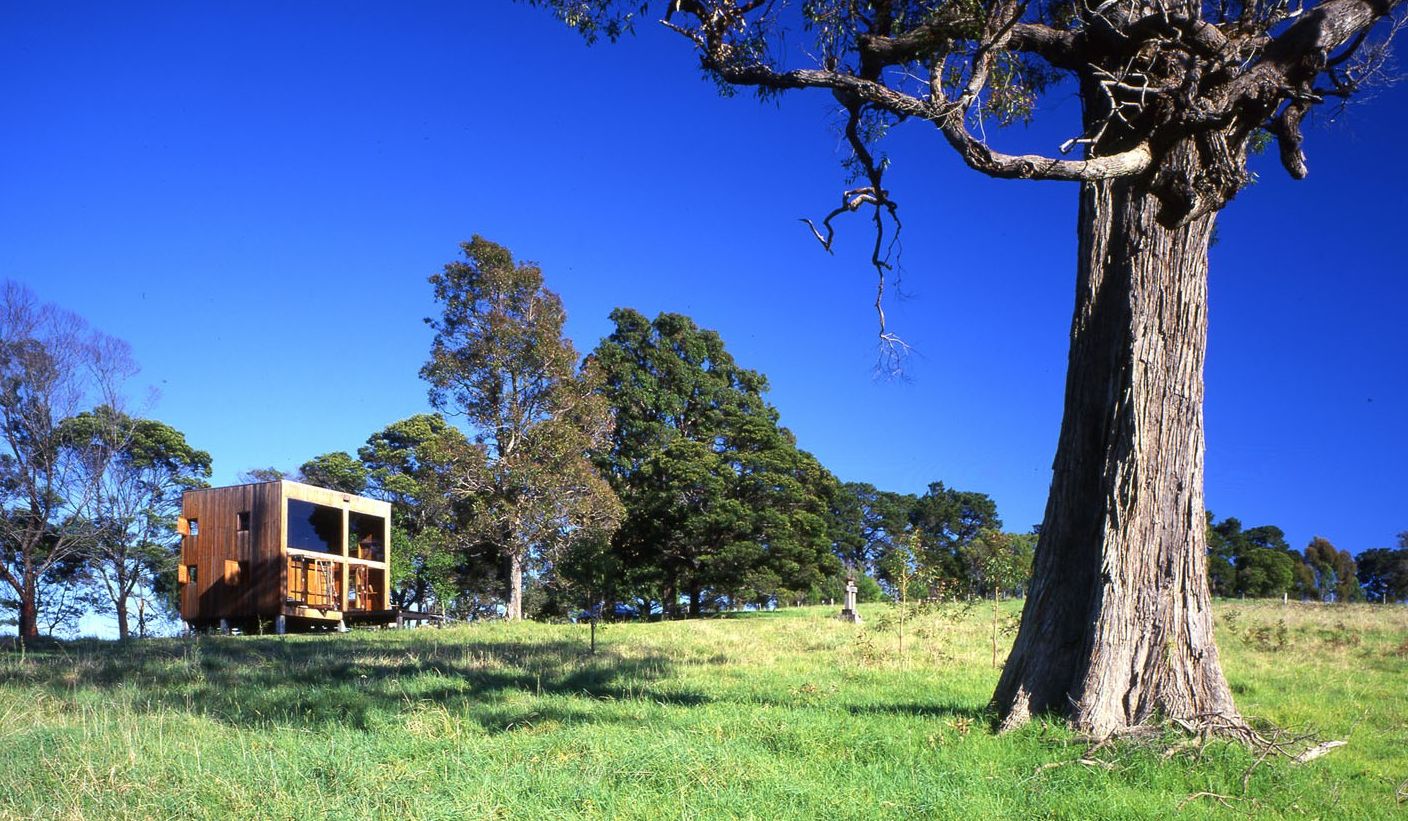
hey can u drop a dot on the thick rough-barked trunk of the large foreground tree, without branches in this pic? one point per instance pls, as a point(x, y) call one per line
point(1117, 629)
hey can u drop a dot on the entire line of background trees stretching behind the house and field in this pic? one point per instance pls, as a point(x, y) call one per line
point(648, 480)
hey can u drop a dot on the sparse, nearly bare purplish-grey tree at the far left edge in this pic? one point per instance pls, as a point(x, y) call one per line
point(50, 363)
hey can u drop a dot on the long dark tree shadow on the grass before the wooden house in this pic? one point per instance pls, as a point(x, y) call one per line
point(350, 681)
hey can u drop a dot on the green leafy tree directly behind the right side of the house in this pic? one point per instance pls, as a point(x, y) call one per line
point(439, 557)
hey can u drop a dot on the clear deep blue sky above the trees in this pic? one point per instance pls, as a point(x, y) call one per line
point(253, 195)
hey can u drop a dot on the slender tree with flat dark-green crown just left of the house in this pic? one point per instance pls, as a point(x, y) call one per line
point(140, 470)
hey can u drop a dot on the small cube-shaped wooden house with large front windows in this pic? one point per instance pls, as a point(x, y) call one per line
point(282, 556)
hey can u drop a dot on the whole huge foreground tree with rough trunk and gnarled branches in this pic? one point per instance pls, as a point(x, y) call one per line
point(1117, 629)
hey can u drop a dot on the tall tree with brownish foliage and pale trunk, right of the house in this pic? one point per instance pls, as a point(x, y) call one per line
point(501, 361)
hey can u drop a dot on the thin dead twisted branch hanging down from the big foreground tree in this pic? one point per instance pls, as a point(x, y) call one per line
point(884, 254)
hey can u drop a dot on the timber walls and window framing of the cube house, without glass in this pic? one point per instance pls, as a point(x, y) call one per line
point(243, 575)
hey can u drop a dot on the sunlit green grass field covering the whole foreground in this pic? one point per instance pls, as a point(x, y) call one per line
point(769, 716)
